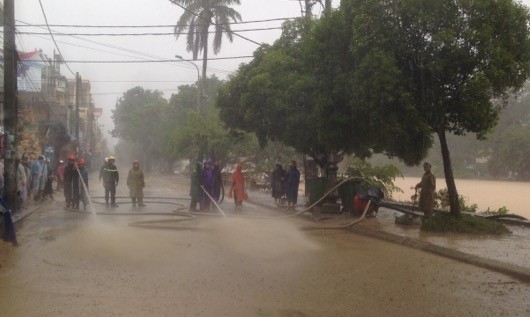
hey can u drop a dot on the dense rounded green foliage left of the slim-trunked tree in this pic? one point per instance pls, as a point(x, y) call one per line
point(299, 92)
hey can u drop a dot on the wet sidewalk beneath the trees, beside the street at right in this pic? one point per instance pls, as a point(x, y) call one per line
point(506, 254)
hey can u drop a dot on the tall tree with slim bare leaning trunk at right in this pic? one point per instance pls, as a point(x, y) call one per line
point(451, 58)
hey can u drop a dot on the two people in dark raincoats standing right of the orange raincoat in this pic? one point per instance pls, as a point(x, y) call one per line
point(285, 184)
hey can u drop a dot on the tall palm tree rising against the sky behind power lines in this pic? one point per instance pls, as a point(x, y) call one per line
point(197, 18)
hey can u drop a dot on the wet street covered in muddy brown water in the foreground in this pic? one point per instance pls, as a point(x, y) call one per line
point(70, 264)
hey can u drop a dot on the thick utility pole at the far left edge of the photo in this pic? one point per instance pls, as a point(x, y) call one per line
point(10, 104)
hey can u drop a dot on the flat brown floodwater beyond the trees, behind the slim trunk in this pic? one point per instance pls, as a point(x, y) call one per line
point(486, 194)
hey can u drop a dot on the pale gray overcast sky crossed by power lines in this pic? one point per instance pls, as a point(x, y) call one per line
point(110, 81)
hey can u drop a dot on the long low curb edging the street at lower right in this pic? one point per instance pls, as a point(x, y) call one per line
point(516, 271)
